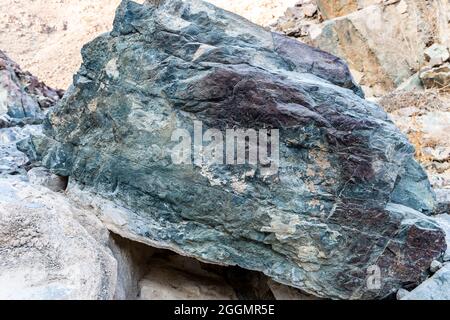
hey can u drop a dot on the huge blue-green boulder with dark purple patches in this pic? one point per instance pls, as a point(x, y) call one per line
point(318, 224)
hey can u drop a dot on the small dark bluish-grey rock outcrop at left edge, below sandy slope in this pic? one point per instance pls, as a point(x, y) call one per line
point(22, 96)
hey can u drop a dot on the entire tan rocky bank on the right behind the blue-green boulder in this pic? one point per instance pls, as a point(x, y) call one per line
point(416, 44)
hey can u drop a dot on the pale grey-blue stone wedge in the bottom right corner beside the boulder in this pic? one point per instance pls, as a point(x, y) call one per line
point(435, 288)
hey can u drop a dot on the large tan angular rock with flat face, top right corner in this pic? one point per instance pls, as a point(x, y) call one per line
point(383, 41)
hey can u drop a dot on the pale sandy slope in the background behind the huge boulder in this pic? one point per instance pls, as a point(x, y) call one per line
point(45, 36)
